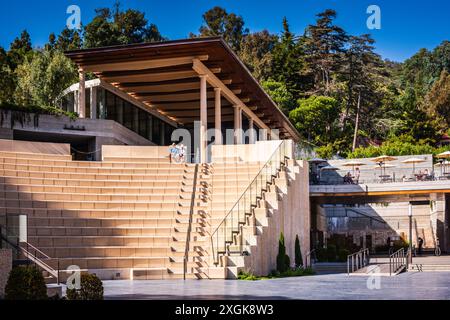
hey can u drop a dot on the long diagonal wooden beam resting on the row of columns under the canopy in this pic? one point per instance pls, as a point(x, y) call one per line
point(201, 69)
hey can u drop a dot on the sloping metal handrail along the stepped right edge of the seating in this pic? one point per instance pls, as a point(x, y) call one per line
point(274, 158)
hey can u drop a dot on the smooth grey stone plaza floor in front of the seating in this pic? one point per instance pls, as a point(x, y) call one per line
point(409, 286)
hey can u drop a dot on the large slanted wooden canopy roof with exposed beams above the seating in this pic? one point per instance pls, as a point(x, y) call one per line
point(164, 76)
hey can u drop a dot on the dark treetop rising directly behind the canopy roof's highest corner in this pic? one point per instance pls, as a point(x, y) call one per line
point(218, 22)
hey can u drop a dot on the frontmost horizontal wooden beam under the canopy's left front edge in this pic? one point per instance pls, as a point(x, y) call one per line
point(143, 64)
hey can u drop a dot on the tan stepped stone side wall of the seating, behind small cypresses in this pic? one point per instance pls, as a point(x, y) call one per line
point(288, 212)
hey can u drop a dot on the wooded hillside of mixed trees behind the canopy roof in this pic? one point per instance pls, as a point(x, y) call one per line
point(340, 94)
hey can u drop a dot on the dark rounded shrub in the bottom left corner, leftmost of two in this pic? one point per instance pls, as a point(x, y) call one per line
point(25, 283)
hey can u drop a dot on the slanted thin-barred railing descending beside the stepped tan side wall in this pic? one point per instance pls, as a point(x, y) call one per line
point(230, 229)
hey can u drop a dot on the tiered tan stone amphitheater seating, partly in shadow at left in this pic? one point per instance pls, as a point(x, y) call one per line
point(125, 217)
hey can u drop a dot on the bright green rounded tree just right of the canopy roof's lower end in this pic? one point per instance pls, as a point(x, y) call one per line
point(316, 119)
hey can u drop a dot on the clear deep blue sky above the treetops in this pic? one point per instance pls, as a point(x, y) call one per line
point(406, 26)
